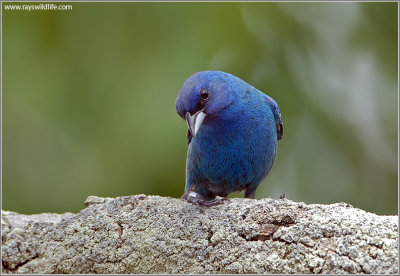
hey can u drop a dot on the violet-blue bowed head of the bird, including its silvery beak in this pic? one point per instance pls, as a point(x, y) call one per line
point(204, 94)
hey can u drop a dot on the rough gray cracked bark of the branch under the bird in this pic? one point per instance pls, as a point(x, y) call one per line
point(152, 234)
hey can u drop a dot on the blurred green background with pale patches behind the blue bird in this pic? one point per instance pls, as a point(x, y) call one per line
point(89, 98)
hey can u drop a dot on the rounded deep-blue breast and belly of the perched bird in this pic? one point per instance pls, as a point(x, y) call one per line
point(233, 153)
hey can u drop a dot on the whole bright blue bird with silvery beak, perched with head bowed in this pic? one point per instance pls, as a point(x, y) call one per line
point(233, 133)
